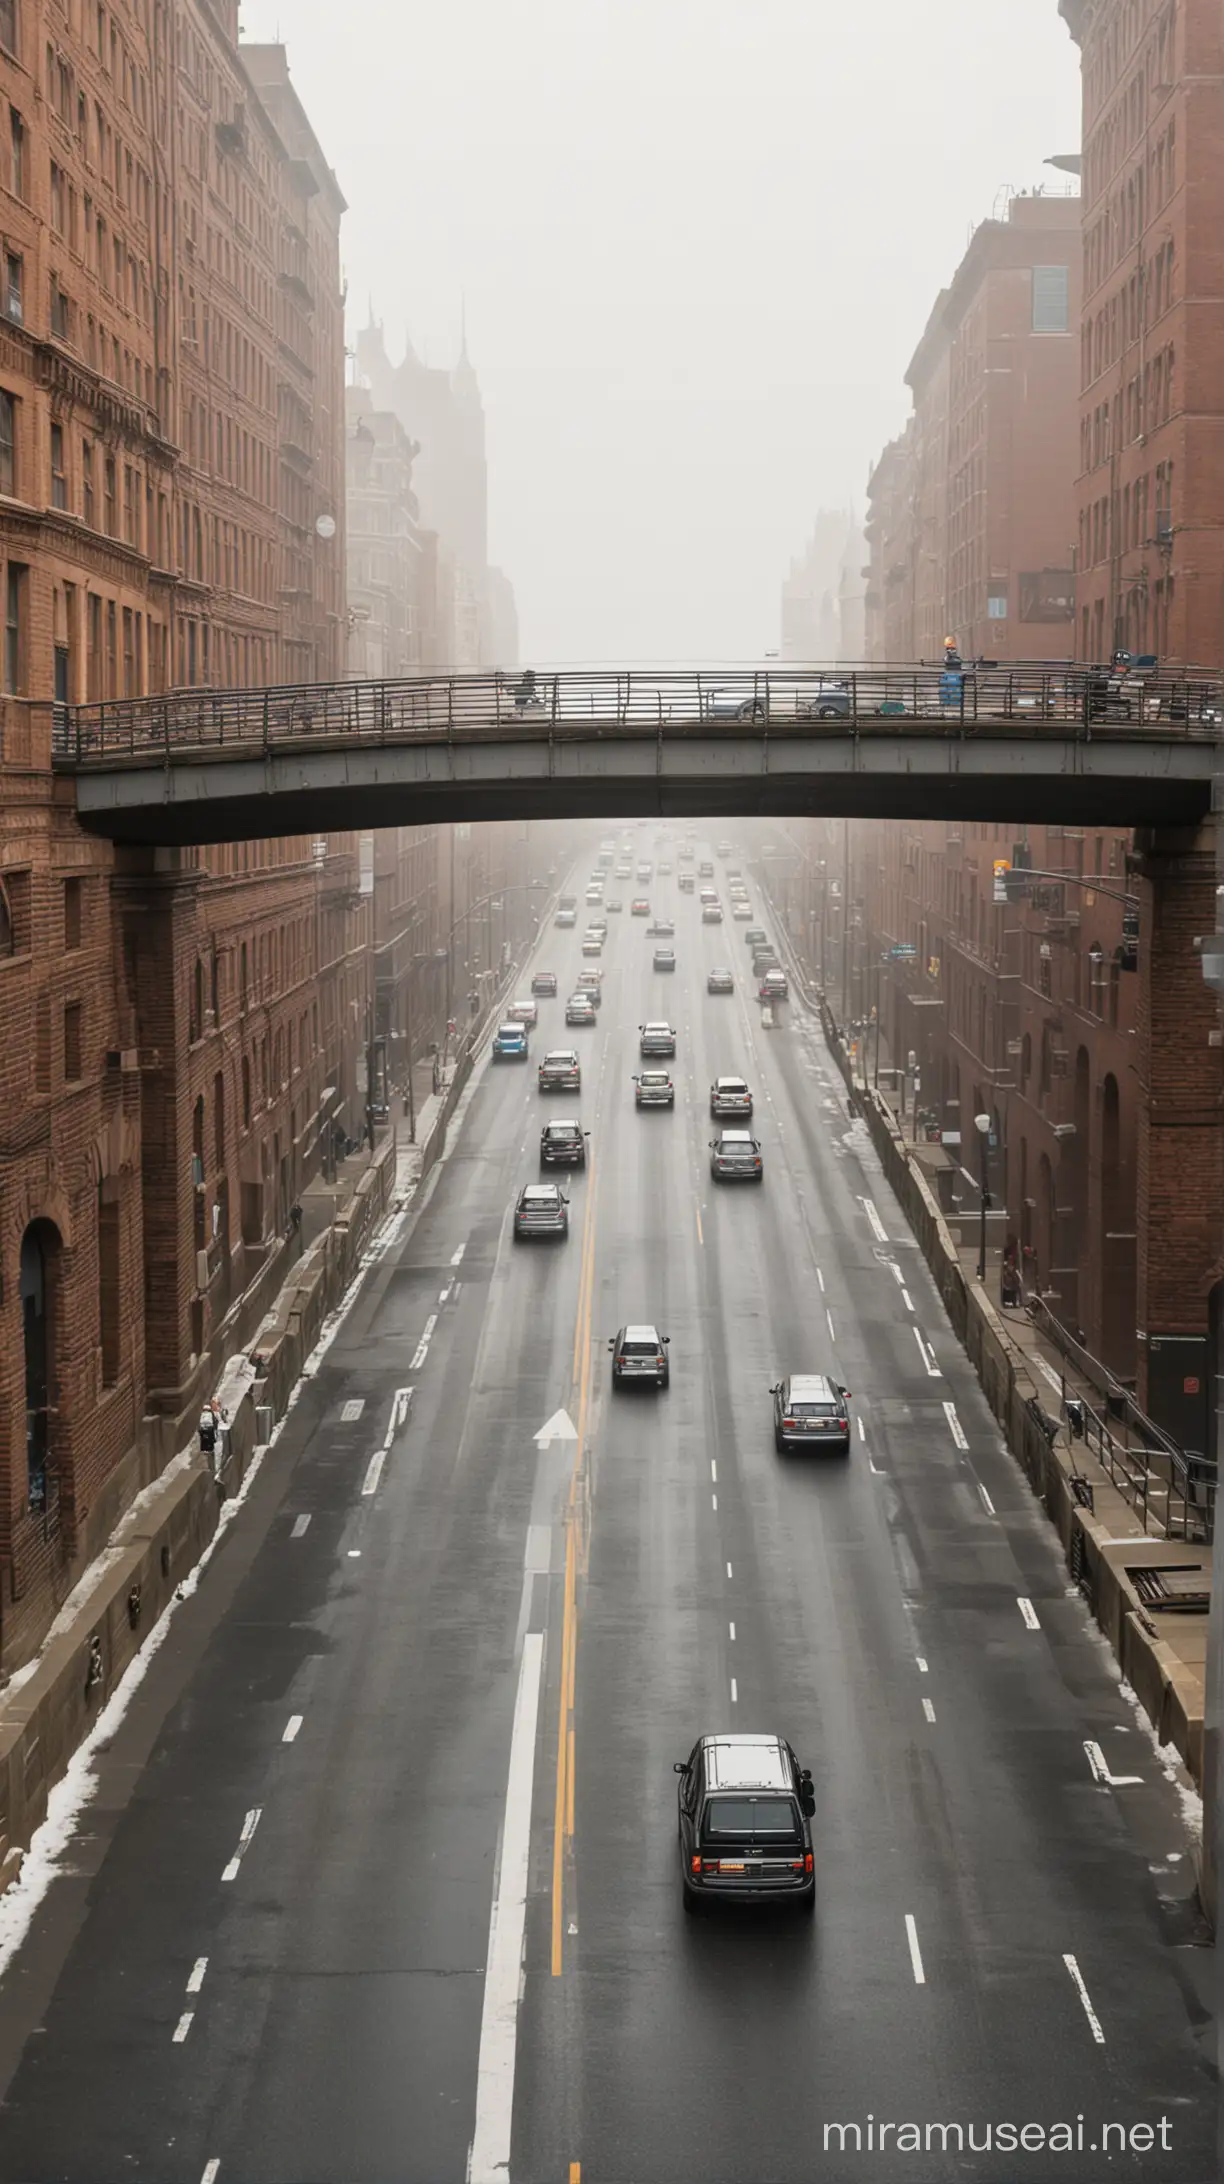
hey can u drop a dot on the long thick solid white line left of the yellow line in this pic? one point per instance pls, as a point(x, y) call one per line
point(489, 2159)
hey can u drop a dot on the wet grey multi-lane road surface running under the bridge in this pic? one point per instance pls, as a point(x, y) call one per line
point(381, 1879)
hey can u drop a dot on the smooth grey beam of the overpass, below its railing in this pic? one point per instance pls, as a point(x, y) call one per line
point(1114, 779)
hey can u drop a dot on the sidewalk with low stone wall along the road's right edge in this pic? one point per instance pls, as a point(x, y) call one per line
point(1105, 1495)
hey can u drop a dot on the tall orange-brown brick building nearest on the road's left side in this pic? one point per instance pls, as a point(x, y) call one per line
point(180, 1030)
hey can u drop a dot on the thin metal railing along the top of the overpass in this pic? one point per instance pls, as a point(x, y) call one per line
point(792, 702)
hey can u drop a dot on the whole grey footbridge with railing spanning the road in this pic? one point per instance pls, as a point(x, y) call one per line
point(1026, 744)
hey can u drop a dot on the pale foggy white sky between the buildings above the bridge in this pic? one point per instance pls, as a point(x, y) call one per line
point(698, 244)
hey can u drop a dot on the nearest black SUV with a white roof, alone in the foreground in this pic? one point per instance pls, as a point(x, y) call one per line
point(744, 1823)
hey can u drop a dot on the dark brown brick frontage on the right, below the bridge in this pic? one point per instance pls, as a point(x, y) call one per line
point(1083, 1028)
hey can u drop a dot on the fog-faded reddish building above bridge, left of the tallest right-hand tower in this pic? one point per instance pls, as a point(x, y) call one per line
point(972, 510)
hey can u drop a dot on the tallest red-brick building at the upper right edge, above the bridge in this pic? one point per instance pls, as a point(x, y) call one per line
point(1151, 468)
